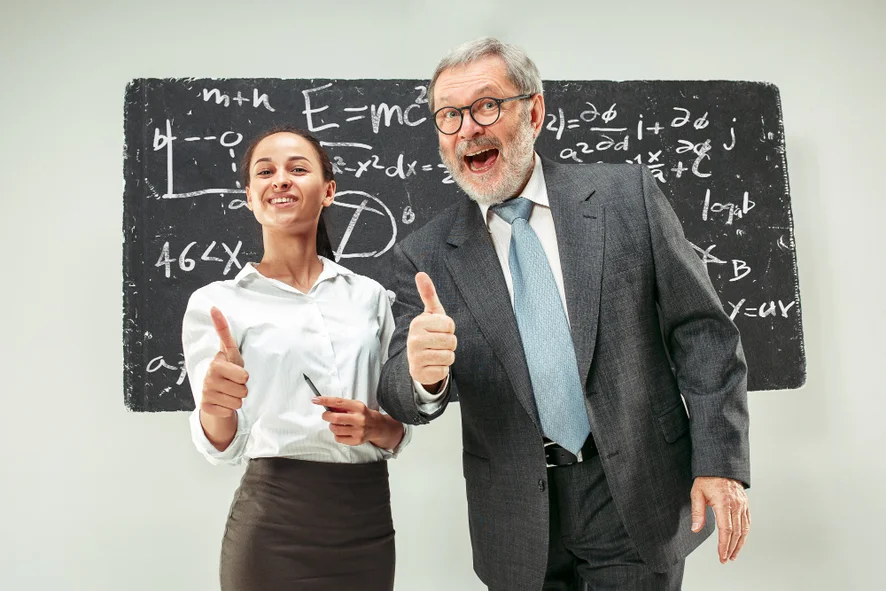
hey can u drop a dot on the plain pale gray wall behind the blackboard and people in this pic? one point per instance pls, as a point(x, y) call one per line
point(95, 497)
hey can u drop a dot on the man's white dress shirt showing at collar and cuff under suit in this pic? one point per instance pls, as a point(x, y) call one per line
point(542, 223)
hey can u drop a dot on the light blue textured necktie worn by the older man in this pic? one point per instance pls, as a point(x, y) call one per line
point(547, 342)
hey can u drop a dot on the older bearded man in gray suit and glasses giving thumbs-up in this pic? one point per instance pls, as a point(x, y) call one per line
point(581, 315)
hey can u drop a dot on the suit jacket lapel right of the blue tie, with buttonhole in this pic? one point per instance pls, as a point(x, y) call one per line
point(578, 221)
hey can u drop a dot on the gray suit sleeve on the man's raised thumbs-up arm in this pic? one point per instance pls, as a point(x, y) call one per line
point(395, 390)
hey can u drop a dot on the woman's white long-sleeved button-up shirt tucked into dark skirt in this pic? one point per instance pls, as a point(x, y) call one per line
point(337, 334)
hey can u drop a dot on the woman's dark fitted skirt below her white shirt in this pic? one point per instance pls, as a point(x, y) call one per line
point(309, 526)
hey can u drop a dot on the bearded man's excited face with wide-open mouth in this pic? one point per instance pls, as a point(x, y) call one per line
point(492, 163)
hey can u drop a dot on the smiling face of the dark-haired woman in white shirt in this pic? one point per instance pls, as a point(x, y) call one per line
point(286, 187)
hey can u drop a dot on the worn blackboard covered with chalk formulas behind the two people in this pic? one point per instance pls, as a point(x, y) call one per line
point(716, 148)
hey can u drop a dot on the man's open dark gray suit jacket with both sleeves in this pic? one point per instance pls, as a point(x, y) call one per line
point(647, 326)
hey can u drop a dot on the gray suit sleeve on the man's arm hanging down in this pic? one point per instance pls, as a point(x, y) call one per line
point(704, 345)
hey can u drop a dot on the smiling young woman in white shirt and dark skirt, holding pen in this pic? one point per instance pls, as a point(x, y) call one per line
point(312, 512)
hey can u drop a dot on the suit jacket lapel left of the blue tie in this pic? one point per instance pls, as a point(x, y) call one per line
point(478, 276)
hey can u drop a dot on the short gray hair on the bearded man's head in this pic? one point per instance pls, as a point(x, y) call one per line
point(520, 69)
